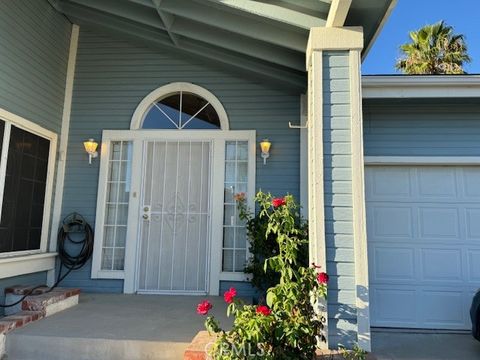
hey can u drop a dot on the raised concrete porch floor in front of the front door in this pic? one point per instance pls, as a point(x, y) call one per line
point(114, 326)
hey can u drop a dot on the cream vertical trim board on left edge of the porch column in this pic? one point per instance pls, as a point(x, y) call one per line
point(316, 203)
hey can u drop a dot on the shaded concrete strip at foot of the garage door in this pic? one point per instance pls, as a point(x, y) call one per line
point(407, 345)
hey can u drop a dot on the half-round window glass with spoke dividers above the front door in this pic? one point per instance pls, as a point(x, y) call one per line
point(188, 111)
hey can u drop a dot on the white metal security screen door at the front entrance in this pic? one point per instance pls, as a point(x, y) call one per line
point(175, 214)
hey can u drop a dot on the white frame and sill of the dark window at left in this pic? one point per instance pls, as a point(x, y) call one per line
point(28, 260)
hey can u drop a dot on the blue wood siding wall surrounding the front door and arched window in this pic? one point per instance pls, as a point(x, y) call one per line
point(113, 76)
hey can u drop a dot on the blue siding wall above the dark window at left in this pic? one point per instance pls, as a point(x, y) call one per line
point(34, 43)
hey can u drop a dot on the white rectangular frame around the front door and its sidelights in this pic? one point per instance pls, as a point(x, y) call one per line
point(138, 137)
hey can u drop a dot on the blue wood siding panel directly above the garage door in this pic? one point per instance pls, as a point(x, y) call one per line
point(426, 128)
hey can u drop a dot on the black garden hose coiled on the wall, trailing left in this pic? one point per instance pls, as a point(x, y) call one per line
point(72, 224)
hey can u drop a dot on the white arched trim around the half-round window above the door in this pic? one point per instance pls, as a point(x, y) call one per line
point(170, 89)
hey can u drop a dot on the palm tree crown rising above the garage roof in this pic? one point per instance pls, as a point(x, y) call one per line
point(434, 49)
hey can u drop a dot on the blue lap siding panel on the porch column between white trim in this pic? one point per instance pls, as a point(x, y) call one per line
point(338, 197)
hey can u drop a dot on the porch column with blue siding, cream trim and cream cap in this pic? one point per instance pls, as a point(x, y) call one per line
point(336, 180)
